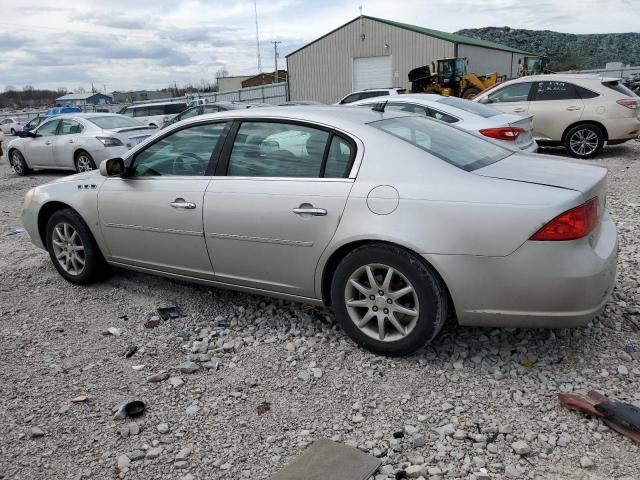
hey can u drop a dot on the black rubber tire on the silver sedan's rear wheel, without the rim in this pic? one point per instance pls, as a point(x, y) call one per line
point(429, 293)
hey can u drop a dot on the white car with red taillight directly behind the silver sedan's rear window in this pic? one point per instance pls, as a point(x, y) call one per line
point(510, 130)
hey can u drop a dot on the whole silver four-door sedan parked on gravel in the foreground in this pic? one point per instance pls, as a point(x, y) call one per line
point(393, 220)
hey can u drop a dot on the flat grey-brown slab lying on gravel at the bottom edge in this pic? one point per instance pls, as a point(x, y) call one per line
point(327, 460)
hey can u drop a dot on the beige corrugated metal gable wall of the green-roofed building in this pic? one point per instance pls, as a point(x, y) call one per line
point(323, 70)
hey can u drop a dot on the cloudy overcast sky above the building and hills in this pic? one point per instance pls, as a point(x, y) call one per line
point(137, 44)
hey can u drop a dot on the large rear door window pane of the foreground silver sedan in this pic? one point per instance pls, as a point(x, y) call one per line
point(277, 149)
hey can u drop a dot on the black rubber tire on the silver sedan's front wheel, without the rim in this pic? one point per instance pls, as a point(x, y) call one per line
point(94, 265)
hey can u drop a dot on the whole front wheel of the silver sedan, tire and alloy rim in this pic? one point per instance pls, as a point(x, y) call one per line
point(72, 248)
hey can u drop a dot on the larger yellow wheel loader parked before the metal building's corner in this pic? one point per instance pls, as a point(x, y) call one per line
point(450, 79)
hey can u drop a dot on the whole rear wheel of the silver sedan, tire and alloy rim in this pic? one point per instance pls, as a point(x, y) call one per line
point(388, 300)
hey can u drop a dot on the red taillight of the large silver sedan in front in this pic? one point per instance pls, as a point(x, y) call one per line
point(572, 224)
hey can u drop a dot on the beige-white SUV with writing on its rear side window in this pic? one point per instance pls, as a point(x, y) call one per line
point(581, 112)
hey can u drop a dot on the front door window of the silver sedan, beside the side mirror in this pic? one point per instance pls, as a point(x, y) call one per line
point(185, 152)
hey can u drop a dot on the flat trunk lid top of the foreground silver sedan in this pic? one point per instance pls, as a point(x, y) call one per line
point(546, 170)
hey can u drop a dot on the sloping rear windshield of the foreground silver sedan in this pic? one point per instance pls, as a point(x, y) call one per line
point(454, 146)
